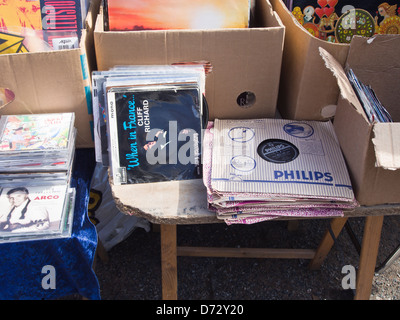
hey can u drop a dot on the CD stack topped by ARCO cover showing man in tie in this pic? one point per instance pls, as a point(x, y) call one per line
point(36, 212)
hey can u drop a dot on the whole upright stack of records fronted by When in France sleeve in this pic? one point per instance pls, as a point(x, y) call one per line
point(148, 122)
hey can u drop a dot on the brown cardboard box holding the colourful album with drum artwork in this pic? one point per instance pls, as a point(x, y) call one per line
point(308, 91)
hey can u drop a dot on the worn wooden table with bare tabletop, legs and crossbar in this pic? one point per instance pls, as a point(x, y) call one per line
point(184, 202)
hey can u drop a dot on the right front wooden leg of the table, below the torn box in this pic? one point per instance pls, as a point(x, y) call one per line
point(368, 256)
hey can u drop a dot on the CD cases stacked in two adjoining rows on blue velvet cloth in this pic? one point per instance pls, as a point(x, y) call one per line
point(36, 159)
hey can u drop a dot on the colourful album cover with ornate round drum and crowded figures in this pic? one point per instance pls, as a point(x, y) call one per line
point(339, 20)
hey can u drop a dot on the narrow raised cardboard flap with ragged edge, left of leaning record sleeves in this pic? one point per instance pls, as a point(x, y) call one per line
point(345, 87)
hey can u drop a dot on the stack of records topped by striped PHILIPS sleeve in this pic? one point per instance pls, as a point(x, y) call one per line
point(262, 169)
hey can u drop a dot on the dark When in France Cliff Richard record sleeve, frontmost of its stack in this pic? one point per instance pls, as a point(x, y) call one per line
point(155, 133)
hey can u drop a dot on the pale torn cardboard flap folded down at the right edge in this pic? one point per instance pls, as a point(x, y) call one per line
point(387, 147)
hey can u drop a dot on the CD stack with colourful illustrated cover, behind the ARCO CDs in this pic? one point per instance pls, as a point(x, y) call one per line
point(37, 142)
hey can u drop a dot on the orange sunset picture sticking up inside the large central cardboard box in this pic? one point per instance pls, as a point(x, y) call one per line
point(177, 14)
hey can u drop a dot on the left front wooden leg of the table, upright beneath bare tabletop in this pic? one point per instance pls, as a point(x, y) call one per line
point(169, 262)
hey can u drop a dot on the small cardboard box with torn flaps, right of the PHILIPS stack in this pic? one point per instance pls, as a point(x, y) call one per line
point(372, 151)
